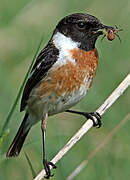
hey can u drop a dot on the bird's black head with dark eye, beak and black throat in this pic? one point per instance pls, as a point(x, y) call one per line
point(82, 28)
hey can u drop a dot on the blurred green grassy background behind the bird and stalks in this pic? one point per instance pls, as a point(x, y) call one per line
point(22, 24)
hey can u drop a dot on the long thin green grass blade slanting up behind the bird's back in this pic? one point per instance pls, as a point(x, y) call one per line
point(20, 91)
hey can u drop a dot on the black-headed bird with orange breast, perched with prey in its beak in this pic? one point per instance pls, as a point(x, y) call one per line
point(61, 76)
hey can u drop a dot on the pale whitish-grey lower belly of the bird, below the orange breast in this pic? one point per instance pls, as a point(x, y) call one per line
point(53, 104)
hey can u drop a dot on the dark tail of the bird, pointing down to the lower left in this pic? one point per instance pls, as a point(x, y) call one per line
point(19, 139)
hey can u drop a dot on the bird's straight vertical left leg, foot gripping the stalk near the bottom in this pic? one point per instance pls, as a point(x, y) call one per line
point(45, 162)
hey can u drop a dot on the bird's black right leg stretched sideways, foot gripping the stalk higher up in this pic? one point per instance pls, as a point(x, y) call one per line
point(89, 115)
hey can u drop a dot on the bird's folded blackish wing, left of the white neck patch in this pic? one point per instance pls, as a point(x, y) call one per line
point(44, 62)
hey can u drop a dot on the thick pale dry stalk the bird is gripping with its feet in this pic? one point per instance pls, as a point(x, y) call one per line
point(89, 124)
